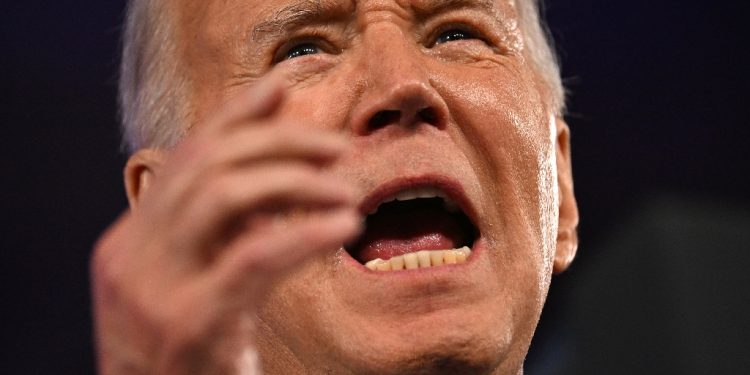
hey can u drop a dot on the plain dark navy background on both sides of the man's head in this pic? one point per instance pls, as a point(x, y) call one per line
point(660, 142)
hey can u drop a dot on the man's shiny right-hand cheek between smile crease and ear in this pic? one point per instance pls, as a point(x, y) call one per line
point(506, 132)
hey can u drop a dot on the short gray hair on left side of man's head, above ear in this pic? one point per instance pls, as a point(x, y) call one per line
point(153, 90)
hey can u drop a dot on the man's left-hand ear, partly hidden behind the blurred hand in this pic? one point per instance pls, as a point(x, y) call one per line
point(140, 172)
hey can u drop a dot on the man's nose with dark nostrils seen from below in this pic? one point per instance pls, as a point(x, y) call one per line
point(398, 90)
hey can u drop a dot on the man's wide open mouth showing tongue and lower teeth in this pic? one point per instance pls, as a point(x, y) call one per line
point(414, 228)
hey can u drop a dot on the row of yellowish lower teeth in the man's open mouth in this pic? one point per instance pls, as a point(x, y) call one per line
point(421, 259)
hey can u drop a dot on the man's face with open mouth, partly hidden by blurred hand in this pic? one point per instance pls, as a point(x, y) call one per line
point(436, 97)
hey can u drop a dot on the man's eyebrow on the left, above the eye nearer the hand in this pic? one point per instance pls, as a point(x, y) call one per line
point(298, 14)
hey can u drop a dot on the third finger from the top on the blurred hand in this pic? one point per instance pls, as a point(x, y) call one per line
point(228, 199)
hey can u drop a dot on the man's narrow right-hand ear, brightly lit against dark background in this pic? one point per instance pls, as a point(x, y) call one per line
point(567, 235)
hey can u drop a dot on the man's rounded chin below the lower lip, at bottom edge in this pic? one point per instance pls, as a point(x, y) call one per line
point(448, 342)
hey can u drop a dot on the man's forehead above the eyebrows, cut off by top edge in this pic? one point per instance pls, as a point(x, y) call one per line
point(226, 22)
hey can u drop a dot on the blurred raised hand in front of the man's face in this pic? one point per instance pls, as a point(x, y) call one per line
point(242, 200)
